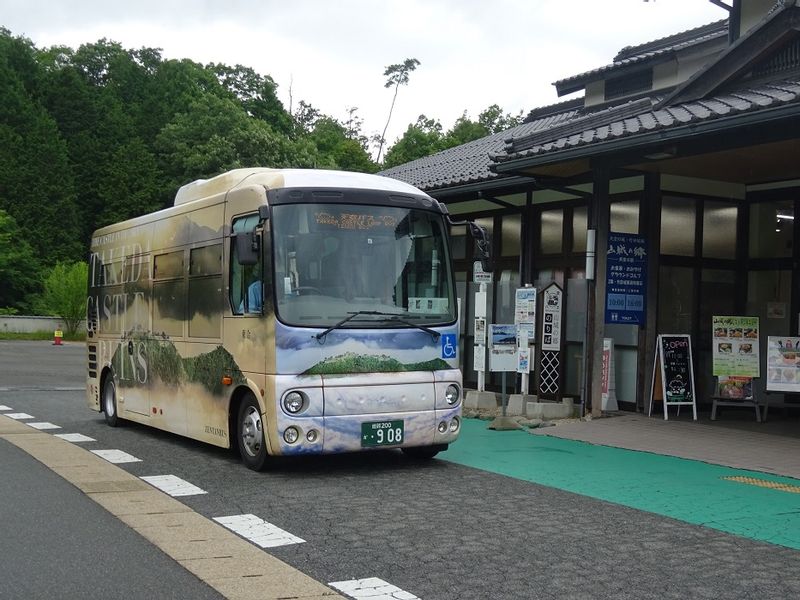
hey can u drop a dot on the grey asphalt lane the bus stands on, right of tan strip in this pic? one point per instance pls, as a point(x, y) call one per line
point(437, 530)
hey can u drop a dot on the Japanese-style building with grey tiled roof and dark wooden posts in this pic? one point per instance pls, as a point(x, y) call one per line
point(687, 144)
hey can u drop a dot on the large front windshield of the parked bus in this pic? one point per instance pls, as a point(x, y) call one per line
point(333, 260)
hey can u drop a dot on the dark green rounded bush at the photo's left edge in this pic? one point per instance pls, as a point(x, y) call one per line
point(19, 268)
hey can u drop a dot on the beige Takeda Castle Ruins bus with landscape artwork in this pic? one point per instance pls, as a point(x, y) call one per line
point(281, 312)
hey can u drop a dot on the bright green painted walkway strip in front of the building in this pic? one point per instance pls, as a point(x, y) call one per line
point(687, 490)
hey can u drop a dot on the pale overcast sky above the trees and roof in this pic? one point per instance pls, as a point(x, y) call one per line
point(332, 54)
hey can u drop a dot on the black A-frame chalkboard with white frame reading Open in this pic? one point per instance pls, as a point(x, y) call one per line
point(673, 374)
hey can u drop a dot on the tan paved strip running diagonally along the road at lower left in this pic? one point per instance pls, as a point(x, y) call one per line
point(231, 565)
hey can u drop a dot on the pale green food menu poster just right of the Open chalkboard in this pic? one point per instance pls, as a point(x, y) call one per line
point(735, 346)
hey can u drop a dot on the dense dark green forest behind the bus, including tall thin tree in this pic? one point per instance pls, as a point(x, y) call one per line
point(103, 133)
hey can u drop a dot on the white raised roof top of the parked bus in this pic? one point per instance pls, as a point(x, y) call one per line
point(290, 178)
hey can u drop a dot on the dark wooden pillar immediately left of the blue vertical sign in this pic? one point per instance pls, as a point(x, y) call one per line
point(599, 220)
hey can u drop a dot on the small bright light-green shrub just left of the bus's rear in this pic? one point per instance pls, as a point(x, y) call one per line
point(65, 293)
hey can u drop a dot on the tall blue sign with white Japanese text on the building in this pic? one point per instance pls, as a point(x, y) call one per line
point(626, 279)
